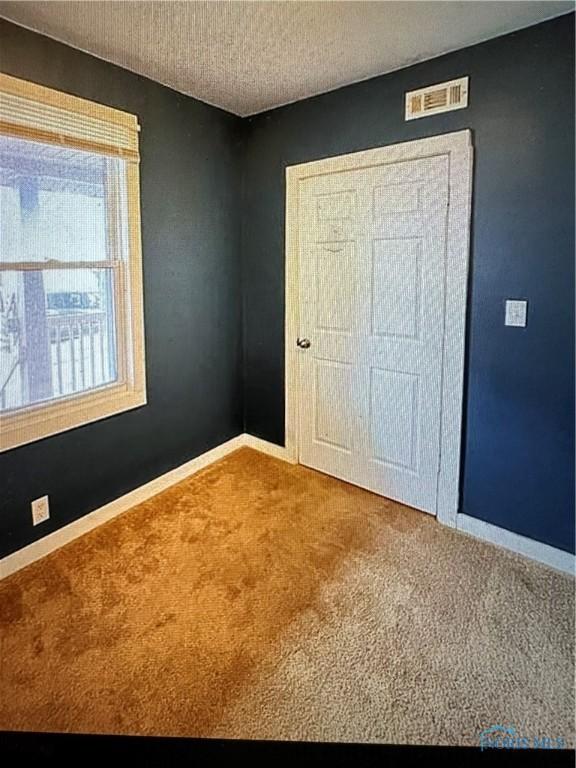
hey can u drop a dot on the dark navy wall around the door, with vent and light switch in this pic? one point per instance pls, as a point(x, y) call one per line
point(518, 446)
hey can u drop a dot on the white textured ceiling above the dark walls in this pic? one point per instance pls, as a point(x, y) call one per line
point(247, 57)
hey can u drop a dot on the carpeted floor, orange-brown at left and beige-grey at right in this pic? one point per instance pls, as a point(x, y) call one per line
point(263, 600)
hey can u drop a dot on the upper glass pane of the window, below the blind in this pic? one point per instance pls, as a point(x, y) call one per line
point(53, 202)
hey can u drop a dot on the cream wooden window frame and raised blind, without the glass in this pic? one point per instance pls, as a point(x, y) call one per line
point(40, 420)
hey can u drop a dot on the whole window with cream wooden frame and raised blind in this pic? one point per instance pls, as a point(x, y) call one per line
point(71, 320)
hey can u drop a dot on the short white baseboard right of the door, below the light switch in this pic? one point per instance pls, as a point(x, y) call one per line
point(535, 550)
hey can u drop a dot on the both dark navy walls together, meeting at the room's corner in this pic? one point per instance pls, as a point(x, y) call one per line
point(518, 469)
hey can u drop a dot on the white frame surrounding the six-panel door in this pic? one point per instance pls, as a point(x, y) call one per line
point(458, 148)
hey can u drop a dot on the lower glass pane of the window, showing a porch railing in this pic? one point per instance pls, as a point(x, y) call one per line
point(57, 334)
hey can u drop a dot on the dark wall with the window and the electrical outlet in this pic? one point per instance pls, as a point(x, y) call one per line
point(190, 177)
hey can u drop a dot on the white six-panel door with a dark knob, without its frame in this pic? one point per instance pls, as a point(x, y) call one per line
point(372, 255)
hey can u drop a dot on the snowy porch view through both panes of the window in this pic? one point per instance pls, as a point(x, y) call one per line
point(61, 242)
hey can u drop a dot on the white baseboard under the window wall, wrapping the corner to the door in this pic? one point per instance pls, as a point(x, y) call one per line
point(53, 541)
